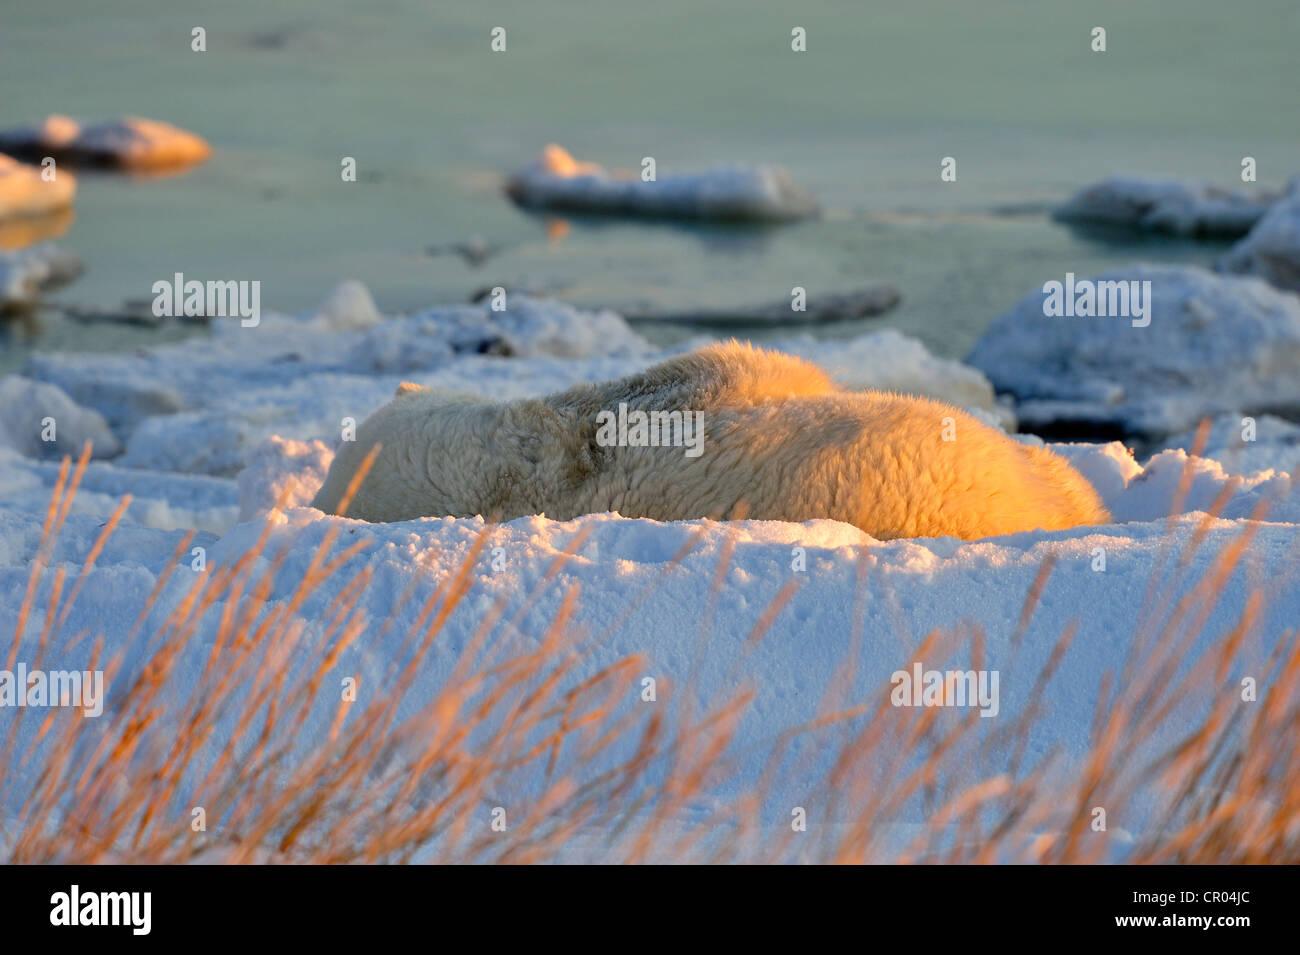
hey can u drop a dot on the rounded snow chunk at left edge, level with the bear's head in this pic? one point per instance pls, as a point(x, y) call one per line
point(41, 422)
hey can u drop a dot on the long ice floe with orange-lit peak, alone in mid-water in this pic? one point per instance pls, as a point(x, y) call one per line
point(736, 193)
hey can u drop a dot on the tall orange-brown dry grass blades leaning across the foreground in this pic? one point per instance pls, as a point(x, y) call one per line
point(608, 782)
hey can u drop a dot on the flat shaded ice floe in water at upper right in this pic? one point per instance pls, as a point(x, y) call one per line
point(1175, 209)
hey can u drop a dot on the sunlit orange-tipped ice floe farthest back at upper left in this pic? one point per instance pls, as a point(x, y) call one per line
point(127, 144)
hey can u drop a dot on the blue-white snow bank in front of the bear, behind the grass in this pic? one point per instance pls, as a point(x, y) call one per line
point(695, 644)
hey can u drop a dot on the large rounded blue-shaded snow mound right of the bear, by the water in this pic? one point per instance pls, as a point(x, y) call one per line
point(1214, 345)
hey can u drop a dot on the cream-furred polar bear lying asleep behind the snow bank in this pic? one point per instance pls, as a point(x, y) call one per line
point(779, 442)
